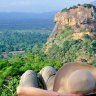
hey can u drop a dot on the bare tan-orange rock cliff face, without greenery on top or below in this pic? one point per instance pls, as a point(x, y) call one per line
point(80, 19)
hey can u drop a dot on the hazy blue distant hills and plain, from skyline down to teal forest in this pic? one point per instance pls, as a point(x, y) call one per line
point(26, 20)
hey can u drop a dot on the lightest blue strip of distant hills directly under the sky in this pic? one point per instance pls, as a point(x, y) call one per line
point(14, 15)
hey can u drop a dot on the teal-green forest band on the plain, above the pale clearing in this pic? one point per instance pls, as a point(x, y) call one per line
point(21, 40)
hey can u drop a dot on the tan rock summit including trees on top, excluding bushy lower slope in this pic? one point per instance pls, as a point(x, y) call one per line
point(80, 20)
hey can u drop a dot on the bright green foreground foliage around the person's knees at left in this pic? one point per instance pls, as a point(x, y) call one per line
point(12, 69)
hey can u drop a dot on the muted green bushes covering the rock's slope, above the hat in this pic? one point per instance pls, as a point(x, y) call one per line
point(66, 49)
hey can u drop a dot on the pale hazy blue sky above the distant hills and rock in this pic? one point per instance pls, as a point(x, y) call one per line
point(37, 5)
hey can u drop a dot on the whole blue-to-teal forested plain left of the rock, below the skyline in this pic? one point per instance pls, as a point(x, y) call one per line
point(18, 35)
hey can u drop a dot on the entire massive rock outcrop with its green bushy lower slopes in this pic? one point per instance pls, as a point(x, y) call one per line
point(74, 35)
